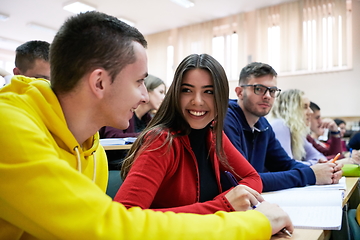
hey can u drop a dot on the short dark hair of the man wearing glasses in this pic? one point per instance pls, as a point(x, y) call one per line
point(255, 69)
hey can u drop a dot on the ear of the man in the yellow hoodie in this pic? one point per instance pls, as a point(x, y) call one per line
point(97, 80)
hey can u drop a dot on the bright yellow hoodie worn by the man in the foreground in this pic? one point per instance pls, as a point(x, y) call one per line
point(51, 188)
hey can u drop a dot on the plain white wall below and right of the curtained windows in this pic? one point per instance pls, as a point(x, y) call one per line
point(337, 93)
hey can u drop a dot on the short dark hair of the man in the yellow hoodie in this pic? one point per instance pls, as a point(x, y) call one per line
point(88, 41)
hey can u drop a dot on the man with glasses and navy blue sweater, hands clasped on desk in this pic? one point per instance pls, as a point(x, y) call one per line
point(252, 135)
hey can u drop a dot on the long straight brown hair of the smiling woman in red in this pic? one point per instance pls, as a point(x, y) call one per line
point(170, 118)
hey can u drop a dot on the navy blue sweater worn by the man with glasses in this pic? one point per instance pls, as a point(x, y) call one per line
point(261, 148)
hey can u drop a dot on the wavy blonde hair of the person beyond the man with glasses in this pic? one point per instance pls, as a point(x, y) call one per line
point(289, 107)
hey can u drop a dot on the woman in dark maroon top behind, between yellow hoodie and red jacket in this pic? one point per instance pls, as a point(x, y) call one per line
point(143, 113)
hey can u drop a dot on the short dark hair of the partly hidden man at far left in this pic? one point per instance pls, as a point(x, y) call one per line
point(27, 53)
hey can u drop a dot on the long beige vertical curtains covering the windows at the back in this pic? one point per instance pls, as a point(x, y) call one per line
point(294, 37)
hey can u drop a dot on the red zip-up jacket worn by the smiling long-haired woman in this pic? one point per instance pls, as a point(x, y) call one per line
point(167, 179)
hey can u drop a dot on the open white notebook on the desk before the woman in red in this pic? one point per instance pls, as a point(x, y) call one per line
point(320, 209)
